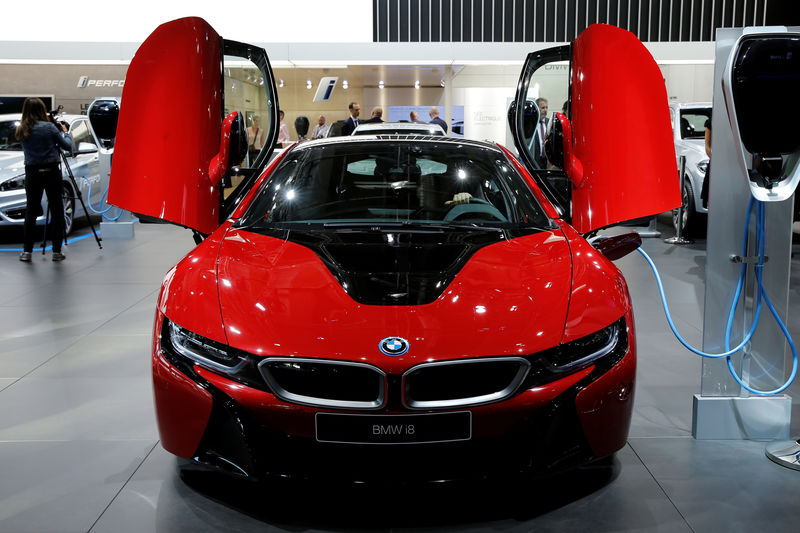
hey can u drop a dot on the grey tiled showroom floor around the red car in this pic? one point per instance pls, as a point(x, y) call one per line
point(79, 446)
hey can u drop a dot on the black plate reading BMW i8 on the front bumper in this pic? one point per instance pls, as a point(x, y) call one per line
point(393, 429)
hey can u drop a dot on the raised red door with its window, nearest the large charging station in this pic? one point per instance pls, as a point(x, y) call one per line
point(606, 156)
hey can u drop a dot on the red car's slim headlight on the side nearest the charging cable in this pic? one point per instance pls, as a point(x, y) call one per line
point(586, 350)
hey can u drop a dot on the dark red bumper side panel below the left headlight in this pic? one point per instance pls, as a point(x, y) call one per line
point(182, 406)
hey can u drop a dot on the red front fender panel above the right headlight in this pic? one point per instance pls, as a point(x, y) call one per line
point(599, 294)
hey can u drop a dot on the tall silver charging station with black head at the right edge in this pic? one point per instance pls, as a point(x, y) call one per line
point(752, 156)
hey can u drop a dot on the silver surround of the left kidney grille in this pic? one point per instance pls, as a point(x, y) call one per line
point(313, 401)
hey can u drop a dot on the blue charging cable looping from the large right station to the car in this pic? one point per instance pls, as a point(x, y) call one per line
point(761, 294)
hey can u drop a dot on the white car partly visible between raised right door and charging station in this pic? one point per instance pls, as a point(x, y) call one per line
point(688, 128)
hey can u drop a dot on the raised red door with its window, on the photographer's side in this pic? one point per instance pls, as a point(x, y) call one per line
point(189, 107)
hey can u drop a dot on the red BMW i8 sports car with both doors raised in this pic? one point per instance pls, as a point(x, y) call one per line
point(393, 305)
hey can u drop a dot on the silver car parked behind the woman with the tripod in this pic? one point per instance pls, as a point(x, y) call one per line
point(84, 164)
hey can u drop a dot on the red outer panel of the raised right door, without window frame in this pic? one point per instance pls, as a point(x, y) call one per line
point(621, 131)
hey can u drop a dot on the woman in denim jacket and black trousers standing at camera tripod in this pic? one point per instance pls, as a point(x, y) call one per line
point(40, 142)
